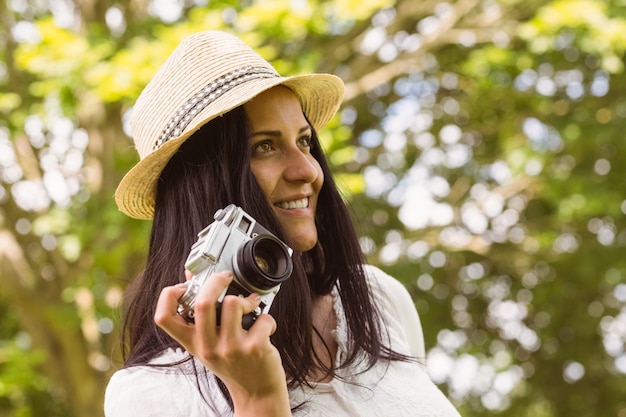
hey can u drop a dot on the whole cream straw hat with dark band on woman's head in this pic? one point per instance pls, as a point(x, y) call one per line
point(207, 75)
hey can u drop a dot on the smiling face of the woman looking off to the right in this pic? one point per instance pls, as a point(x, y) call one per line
point(282, 163)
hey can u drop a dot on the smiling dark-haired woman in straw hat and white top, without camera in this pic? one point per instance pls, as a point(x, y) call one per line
point(217, 125)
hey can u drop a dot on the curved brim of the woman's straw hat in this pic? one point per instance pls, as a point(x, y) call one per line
point(319, 94)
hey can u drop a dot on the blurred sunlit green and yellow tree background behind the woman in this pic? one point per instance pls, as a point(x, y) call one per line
point(481, 144)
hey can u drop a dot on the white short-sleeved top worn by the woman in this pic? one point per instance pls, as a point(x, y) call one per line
point(387, 390)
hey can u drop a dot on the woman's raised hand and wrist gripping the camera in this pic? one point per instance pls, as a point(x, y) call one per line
point(245, 360)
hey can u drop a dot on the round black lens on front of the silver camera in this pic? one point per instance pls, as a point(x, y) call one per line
point(262, 263)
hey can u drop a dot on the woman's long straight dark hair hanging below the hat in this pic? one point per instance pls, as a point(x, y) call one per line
point(212, 170)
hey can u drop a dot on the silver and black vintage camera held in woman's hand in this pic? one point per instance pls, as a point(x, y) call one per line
point(260, 261)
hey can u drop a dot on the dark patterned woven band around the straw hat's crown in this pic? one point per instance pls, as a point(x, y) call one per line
point(206, 96)
